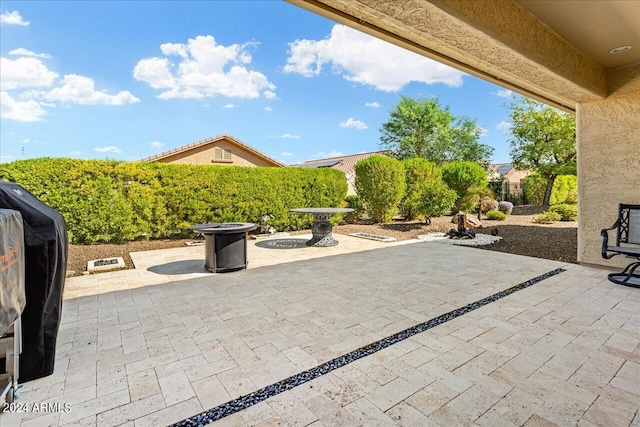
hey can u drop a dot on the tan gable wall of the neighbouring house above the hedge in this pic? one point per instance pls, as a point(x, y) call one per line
point(204, 155)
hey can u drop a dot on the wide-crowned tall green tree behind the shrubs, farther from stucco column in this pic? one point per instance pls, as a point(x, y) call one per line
point(421, 128)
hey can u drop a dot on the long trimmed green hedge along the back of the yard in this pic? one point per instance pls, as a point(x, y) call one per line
point(109, 201)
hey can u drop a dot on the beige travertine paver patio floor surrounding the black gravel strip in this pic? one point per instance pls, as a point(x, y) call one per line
point(564, 351)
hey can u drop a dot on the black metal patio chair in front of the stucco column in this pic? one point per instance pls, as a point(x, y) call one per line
point(627, 228)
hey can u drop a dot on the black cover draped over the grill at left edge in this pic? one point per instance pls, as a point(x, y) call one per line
point(46, 246)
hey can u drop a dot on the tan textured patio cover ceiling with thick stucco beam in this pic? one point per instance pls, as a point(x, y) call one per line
point(553, 51)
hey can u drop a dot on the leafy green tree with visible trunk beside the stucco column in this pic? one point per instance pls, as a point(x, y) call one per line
point(543, 139)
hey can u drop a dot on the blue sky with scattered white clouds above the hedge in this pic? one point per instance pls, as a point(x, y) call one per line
point(125, 80)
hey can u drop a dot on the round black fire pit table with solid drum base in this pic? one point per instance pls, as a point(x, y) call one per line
point(225, 245)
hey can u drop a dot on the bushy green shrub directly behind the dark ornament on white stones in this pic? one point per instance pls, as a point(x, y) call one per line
point(468, 180)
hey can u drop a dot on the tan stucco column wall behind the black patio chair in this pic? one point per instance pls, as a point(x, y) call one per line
point(608, 138)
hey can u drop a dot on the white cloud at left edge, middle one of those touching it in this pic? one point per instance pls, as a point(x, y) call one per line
point(25, 72)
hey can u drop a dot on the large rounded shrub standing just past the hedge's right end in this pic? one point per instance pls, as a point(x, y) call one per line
point(380, 183)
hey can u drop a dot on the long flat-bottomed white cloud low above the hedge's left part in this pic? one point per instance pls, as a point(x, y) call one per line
point(78, 89)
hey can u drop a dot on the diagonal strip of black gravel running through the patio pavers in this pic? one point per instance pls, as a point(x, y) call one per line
point(243, 402)
